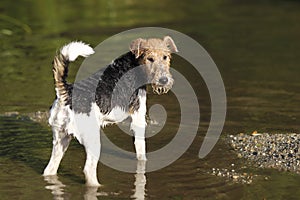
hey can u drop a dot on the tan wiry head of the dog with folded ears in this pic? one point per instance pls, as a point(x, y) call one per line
point(155, 55)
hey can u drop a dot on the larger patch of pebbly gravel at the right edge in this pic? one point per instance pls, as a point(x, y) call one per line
point(278, 151)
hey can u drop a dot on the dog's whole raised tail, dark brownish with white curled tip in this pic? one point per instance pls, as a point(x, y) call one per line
point(67, 54)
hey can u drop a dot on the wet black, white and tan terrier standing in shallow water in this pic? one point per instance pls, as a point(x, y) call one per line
point(153, 54)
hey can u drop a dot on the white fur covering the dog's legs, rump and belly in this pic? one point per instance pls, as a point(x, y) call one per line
point(85, 128)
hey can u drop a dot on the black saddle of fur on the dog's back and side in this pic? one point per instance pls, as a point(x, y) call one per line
point(104, 89)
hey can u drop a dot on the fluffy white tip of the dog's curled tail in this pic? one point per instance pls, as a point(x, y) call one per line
point(74, 49)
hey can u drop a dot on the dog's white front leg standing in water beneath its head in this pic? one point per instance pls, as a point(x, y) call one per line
point(138, 125)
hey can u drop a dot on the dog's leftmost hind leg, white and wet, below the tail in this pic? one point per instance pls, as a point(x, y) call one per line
point(61, 141)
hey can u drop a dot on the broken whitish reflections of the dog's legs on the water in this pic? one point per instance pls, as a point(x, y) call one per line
point(91, 193)
